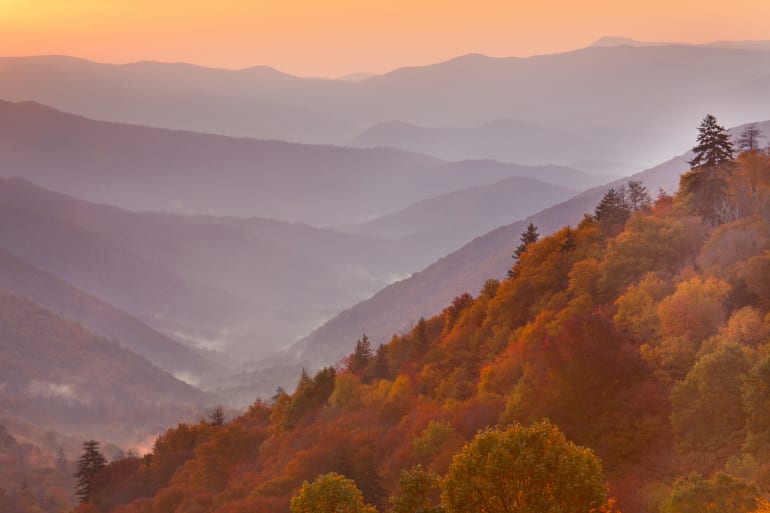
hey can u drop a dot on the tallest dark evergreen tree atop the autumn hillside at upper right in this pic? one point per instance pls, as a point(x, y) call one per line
point(705, 186)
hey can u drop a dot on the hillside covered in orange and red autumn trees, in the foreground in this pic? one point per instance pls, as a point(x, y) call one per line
point(642, 334)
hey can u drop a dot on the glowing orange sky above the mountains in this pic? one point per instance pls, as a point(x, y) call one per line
point(335, 37)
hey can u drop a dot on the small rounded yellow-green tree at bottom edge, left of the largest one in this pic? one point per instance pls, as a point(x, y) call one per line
point(330, 493)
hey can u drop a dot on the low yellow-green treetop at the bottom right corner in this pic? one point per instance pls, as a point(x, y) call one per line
point(722, 494)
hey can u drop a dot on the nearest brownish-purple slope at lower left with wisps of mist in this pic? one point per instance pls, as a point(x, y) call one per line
point(85, 383)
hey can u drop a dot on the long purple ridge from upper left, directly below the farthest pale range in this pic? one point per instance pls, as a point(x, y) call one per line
point(142, 168)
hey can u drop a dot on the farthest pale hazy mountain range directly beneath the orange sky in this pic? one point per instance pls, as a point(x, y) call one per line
point(631, 101)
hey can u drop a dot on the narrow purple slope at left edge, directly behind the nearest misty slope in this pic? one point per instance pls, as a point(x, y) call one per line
point(22, 279)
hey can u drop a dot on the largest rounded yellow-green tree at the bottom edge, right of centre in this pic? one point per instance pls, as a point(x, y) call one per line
point(525, 470)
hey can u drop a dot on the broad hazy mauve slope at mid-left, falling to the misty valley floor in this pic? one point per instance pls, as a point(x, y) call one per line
point(203, 280)
